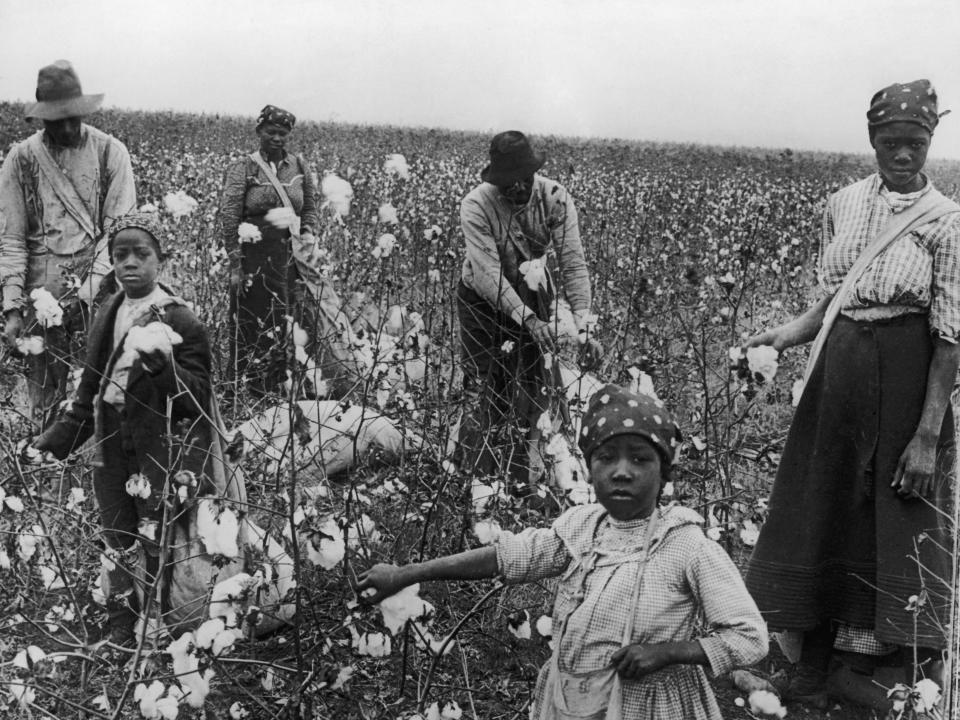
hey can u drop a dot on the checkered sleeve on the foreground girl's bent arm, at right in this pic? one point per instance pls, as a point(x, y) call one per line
point(736, 633)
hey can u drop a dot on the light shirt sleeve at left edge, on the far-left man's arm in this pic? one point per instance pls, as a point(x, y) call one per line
point(13, 237)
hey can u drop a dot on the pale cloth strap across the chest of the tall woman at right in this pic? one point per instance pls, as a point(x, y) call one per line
point(932, 206)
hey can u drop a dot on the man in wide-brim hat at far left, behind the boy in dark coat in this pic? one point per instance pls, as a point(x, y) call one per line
point(59, 189)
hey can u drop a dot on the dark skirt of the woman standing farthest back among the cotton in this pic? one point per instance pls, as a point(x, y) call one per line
point(258, 310)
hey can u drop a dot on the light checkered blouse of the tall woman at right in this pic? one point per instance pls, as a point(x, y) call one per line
point(919, 272)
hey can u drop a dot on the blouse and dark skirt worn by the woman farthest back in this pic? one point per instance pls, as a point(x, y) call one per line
point(257, 310)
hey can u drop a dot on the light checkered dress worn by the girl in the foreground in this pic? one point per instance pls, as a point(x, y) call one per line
point(599, 559)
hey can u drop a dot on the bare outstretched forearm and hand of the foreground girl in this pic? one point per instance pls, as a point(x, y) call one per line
point(385, 580)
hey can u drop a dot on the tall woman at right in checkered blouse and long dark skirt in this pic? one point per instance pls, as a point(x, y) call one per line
point(856, 552)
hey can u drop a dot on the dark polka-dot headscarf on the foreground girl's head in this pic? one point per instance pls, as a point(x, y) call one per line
point(614, 410)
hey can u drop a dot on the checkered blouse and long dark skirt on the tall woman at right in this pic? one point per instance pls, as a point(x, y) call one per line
point(839, 543)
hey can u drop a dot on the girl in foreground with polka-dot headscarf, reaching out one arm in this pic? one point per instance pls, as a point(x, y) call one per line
point(635, 580)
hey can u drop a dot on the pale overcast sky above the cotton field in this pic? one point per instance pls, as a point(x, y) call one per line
point(768, 73)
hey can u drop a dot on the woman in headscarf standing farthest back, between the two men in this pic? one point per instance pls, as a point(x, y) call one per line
point(268, 204)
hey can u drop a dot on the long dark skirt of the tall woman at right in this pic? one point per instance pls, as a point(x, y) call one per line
point(839, 543)
